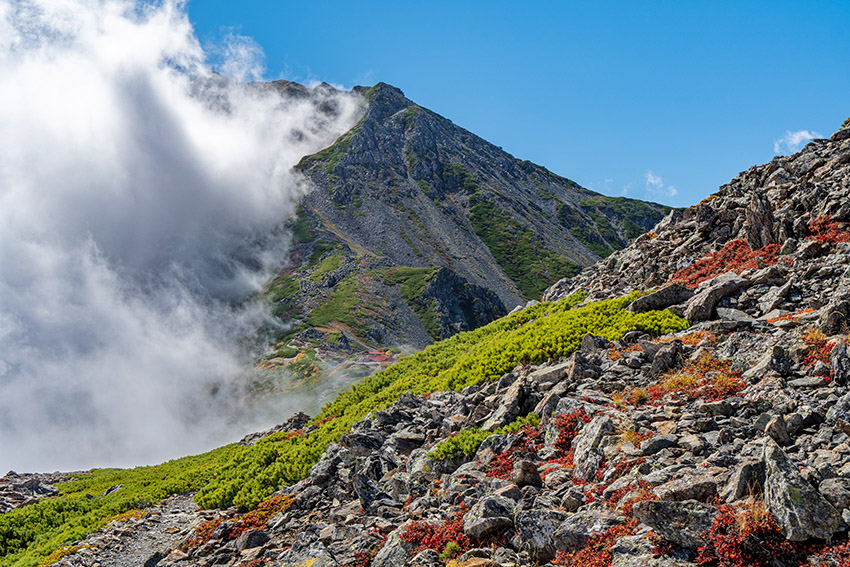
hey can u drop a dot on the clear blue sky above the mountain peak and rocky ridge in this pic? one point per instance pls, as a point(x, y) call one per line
point(657, 100)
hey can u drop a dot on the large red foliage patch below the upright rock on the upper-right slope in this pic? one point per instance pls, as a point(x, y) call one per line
point(735, 256)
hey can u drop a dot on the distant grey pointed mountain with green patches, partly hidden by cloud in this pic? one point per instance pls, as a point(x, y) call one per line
point(415, 229)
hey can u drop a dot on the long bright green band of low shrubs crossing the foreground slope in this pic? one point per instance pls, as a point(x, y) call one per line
point(244, 476)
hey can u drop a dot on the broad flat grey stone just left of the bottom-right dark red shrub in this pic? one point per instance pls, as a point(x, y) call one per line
point(681, 523)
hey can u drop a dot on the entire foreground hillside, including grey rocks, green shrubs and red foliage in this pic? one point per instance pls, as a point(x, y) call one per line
point(685, 401)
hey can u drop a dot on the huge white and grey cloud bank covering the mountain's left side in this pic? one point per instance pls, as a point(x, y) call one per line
point(141, 200)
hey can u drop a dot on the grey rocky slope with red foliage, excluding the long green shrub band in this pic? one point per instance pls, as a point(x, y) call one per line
point(726, 444)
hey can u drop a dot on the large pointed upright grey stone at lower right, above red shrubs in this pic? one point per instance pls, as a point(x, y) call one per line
point(801, 512)
